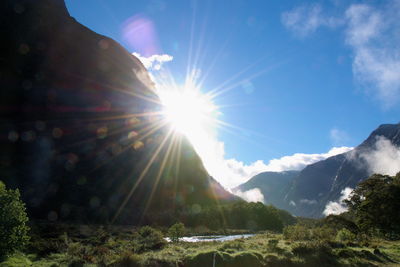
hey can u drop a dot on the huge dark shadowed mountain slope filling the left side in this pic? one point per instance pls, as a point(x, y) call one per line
point(81, 132)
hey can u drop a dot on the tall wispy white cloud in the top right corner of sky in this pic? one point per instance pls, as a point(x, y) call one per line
point(374, 38)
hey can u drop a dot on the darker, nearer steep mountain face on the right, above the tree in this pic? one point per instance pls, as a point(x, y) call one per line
point(321, 182)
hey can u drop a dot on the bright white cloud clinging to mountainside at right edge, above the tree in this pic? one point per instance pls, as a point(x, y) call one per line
point(384, 158)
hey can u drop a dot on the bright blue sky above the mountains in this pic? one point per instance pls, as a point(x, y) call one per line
point(314, 74)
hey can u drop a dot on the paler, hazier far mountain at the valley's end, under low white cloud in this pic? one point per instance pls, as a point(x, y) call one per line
point(273, 185)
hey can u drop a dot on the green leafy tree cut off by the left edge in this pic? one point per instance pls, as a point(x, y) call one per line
point(13, 219)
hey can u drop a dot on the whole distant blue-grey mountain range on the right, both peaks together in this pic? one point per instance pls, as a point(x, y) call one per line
point(307, 192)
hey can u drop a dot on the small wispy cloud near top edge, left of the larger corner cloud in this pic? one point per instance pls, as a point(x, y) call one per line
point(306, 19)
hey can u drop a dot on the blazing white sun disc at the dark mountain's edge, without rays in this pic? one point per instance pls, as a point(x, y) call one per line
point(189, 112)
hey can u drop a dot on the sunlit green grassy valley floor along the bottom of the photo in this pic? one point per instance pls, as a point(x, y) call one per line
point(122, 246)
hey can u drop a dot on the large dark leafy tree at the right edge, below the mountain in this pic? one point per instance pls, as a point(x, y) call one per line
point(375, 204)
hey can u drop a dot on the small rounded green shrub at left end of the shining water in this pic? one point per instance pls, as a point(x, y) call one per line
point(148, 238)
